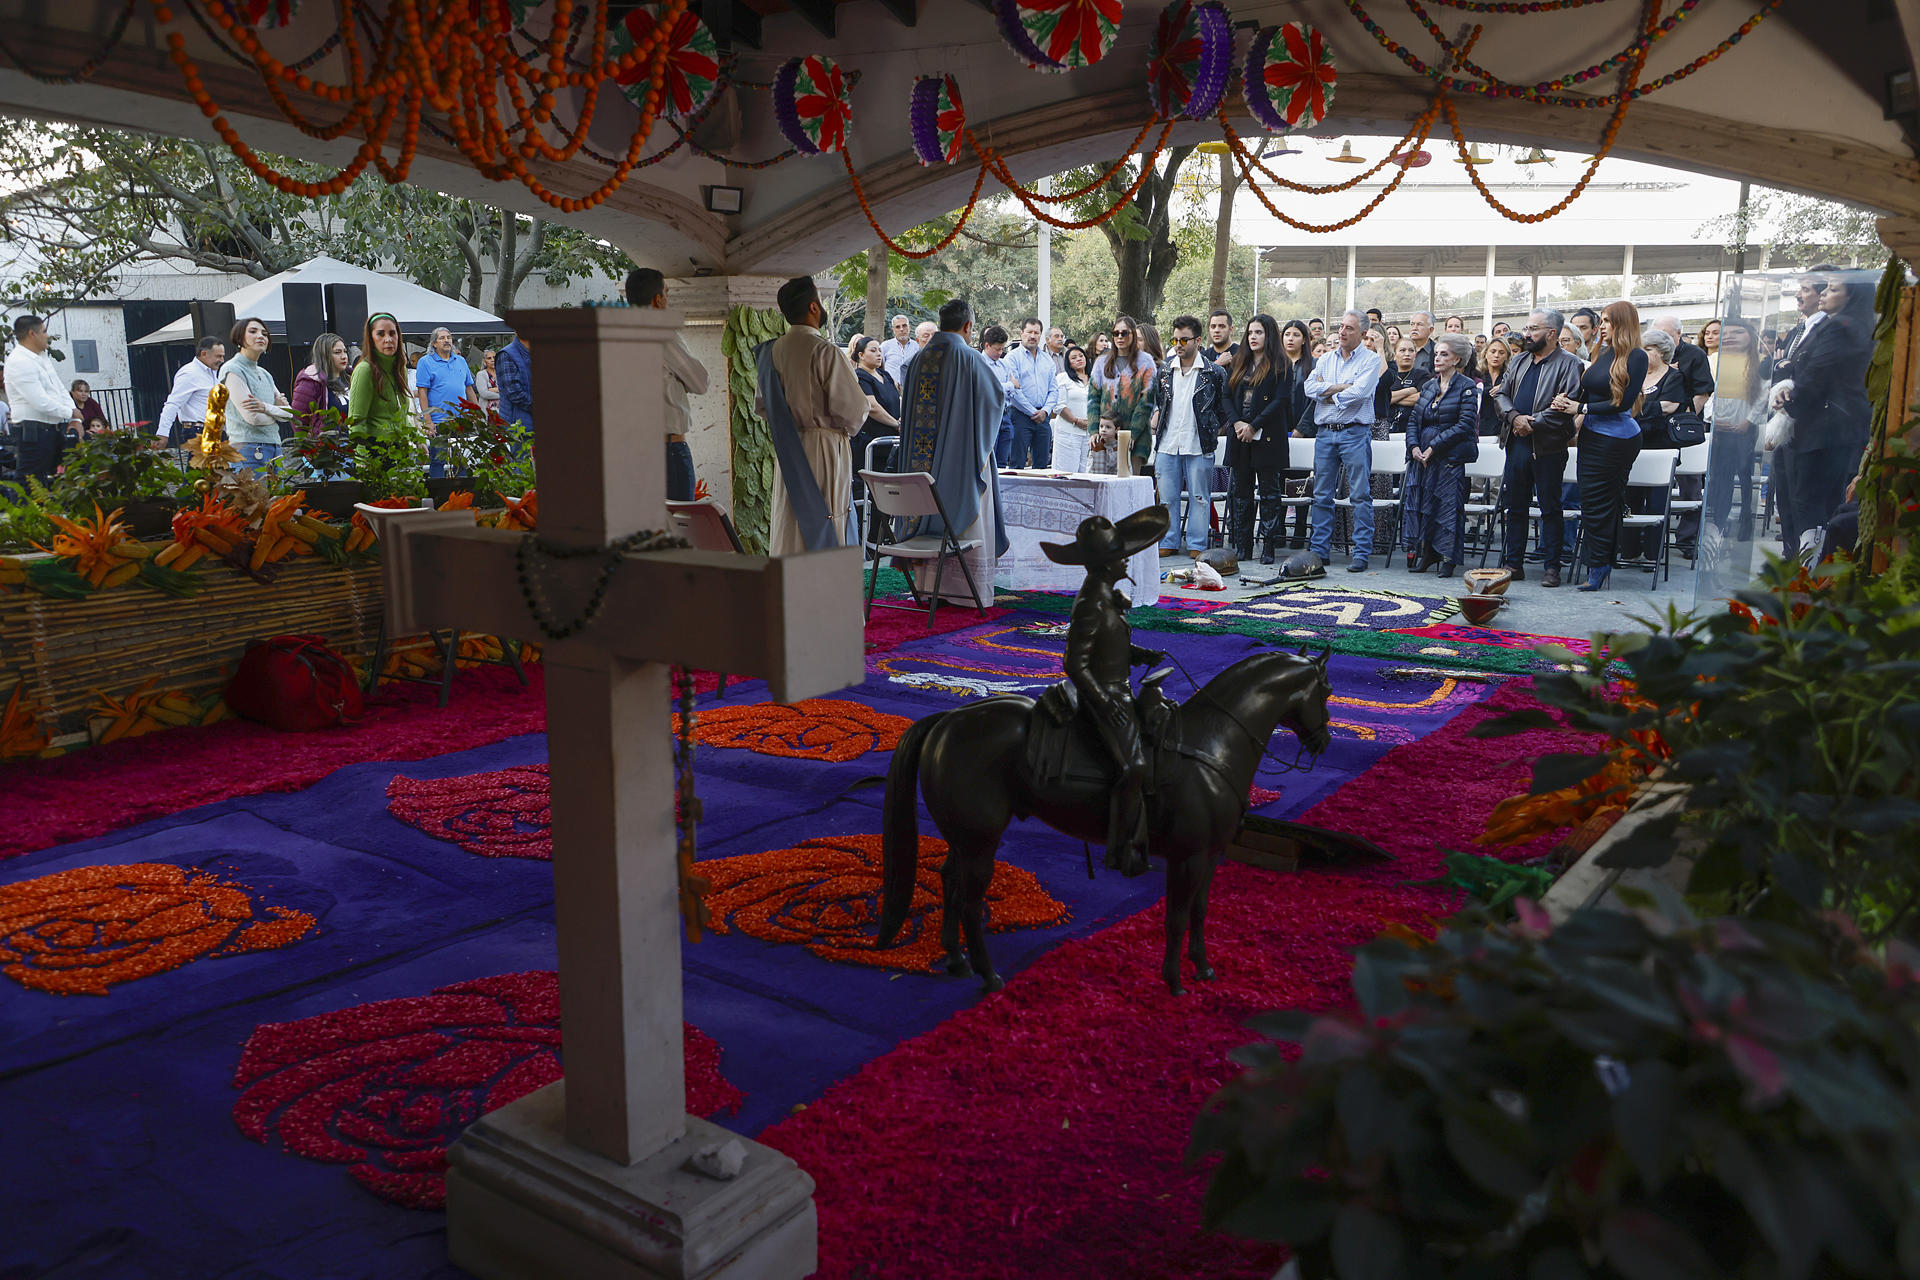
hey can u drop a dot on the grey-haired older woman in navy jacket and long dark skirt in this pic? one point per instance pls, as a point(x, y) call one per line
point(1443, 437)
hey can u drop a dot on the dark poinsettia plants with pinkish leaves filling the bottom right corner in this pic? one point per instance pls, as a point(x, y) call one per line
point(1627, 1097)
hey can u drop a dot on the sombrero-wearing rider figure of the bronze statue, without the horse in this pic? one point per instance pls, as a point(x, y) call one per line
point(1101, 659)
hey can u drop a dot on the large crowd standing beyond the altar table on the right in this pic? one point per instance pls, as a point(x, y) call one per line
point(1593, 387)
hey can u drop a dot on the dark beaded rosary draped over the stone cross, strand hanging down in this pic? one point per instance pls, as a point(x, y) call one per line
point(531, 561)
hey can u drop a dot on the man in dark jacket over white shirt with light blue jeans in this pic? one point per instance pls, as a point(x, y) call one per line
point(1189, 419)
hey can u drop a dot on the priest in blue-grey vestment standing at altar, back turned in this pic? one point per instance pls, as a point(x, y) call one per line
point(951, 408)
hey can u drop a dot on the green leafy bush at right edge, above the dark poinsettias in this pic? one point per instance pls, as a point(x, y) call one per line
point(1796, 724)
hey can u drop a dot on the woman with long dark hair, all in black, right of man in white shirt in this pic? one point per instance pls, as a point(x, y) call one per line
point(1260, 400)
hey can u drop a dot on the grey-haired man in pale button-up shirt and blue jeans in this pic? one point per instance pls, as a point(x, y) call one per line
point(1341, 391)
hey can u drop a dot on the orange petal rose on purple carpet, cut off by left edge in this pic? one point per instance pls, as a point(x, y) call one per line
point(84, 932)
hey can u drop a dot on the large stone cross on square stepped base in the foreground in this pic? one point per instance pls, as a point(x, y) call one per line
point(588, 1177)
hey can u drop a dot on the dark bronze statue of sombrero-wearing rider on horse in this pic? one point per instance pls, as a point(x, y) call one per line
point(1138, 774)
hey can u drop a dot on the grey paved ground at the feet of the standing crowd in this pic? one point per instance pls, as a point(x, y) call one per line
point(1531, 611)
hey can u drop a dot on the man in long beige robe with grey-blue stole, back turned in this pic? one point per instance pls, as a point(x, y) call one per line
point(827, 404)
